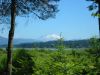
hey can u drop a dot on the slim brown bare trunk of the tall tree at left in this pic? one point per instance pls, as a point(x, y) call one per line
point(10, 38)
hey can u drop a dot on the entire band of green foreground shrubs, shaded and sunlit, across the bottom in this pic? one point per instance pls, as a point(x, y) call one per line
point(53, 62)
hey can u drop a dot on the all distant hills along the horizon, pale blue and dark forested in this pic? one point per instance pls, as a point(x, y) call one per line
point(30, 43)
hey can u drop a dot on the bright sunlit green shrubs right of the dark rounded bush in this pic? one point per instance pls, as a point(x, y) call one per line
point(56, 63)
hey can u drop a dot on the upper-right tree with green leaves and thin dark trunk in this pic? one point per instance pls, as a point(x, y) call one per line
point(95, 6)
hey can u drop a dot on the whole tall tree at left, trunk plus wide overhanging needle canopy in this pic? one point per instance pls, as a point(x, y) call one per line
point(43, 9)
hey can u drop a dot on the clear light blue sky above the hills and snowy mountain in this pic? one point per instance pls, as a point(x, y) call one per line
point(73, 20)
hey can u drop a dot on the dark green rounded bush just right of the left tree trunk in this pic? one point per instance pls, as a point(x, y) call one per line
point(23, 63)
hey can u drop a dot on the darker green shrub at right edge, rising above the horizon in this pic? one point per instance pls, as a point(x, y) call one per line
point(95, 52)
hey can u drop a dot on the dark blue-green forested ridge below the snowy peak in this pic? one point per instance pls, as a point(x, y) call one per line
point(53, 44)
